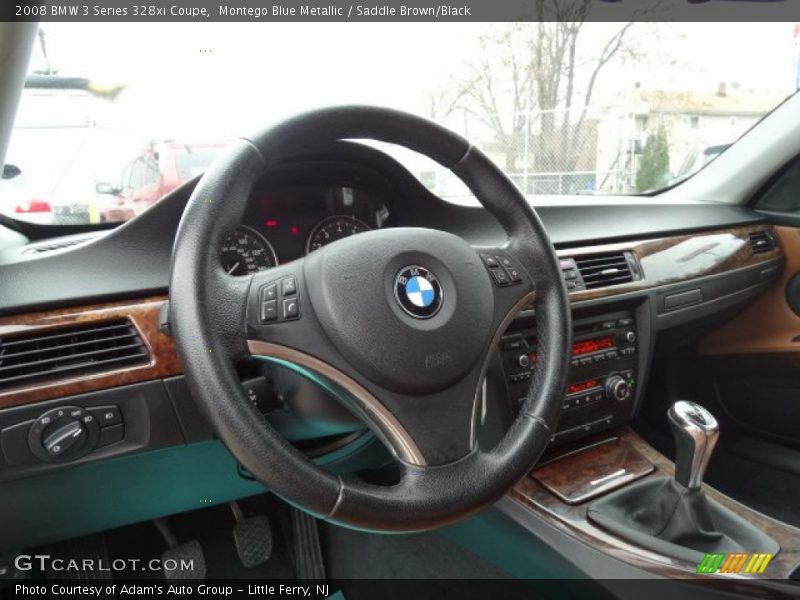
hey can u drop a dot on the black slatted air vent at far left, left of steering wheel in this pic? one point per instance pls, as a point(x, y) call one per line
point(66, 352)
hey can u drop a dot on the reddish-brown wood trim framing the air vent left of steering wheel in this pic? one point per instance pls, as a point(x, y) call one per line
point(144, 316)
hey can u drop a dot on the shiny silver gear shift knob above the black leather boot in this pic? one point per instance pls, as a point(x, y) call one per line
point(695, 431)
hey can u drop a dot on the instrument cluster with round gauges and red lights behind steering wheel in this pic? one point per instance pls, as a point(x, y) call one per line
point(289, 220)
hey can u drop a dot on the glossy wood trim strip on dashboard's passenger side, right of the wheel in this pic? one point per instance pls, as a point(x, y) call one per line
point(679, 258)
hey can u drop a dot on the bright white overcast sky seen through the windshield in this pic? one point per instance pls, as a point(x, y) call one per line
point(234, 77)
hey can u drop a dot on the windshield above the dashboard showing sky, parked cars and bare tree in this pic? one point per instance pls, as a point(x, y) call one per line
point(114, 117)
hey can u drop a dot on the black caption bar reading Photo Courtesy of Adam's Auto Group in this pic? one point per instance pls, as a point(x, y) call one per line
point(397, 589)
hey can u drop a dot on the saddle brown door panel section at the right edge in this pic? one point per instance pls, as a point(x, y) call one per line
point(768, 326)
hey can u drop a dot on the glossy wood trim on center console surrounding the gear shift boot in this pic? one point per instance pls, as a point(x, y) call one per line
point(572, 520)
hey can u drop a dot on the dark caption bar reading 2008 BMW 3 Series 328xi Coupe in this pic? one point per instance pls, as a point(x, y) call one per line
point(390, 10)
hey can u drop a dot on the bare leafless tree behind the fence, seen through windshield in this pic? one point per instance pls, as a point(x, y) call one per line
point(540, 69)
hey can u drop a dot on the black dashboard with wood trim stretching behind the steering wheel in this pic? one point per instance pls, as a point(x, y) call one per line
point(688, 265)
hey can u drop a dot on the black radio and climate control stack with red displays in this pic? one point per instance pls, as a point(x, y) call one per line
point(602, 384)
